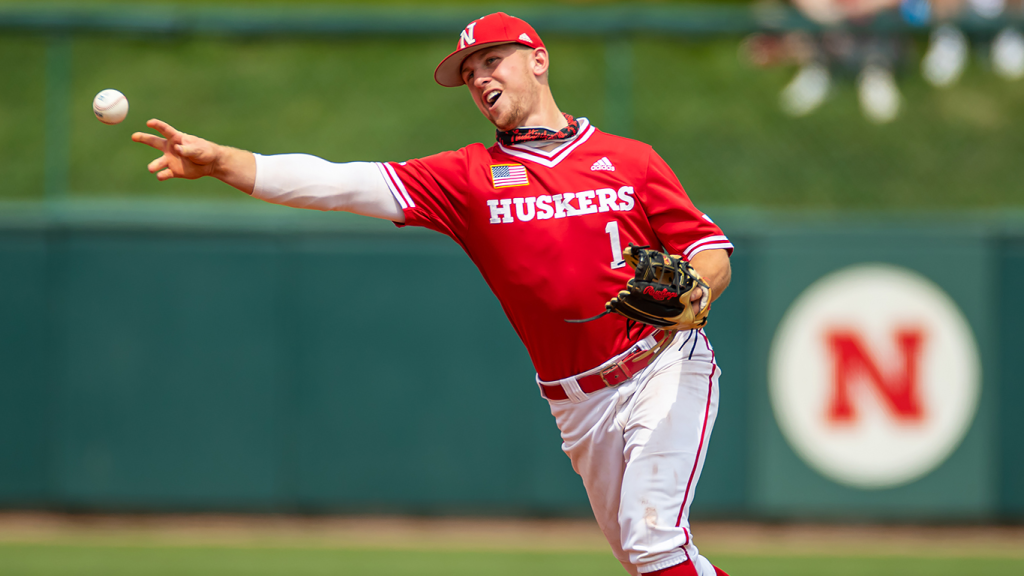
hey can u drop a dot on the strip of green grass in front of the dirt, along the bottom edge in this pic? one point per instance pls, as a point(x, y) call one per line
point(50, 560)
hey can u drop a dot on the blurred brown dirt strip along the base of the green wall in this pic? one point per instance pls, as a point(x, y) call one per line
point(501, 534)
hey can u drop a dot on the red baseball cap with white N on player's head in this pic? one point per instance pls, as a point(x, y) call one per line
point(483, 33)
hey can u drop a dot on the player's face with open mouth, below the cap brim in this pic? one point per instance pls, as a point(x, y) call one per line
point(503, 85)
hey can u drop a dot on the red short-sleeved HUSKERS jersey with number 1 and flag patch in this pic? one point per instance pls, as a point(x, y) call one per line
point(547, 231)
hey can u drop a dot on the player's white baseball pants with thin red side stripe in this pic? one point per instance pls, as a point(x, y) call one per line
point(639, 448)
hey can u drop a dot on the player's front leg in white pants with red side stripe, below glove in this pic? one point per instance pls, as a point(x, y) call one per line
point(665, 443)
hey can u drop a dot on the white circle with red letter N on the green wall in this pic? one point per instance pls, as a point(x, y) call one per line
point(874, 377)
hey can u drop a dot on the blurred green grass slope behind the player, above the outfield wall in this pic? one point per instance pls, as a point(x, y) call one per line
point(714, 119)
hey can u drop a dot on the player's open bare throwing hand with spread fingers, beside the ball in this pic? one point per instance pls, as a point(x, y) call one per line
point(185, 156)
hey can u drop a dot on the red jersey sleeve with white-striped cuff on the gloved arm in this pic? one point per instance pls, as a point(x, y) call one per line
point(680, 226)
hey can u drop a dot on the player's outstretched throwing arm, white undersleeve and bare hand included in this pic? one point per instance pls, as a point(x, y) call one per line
point(300, 181)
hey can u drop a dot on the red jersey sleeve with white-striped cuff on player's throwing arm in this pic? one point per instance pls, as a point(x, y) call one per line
point(431, 190)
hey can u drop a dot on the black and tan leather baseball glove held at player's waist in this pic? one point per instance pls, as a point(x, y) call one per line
point(660, 293)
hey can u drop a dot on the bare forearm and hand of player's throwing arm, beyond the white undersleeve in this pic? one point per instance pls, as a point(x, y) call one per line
point(186, 156)
